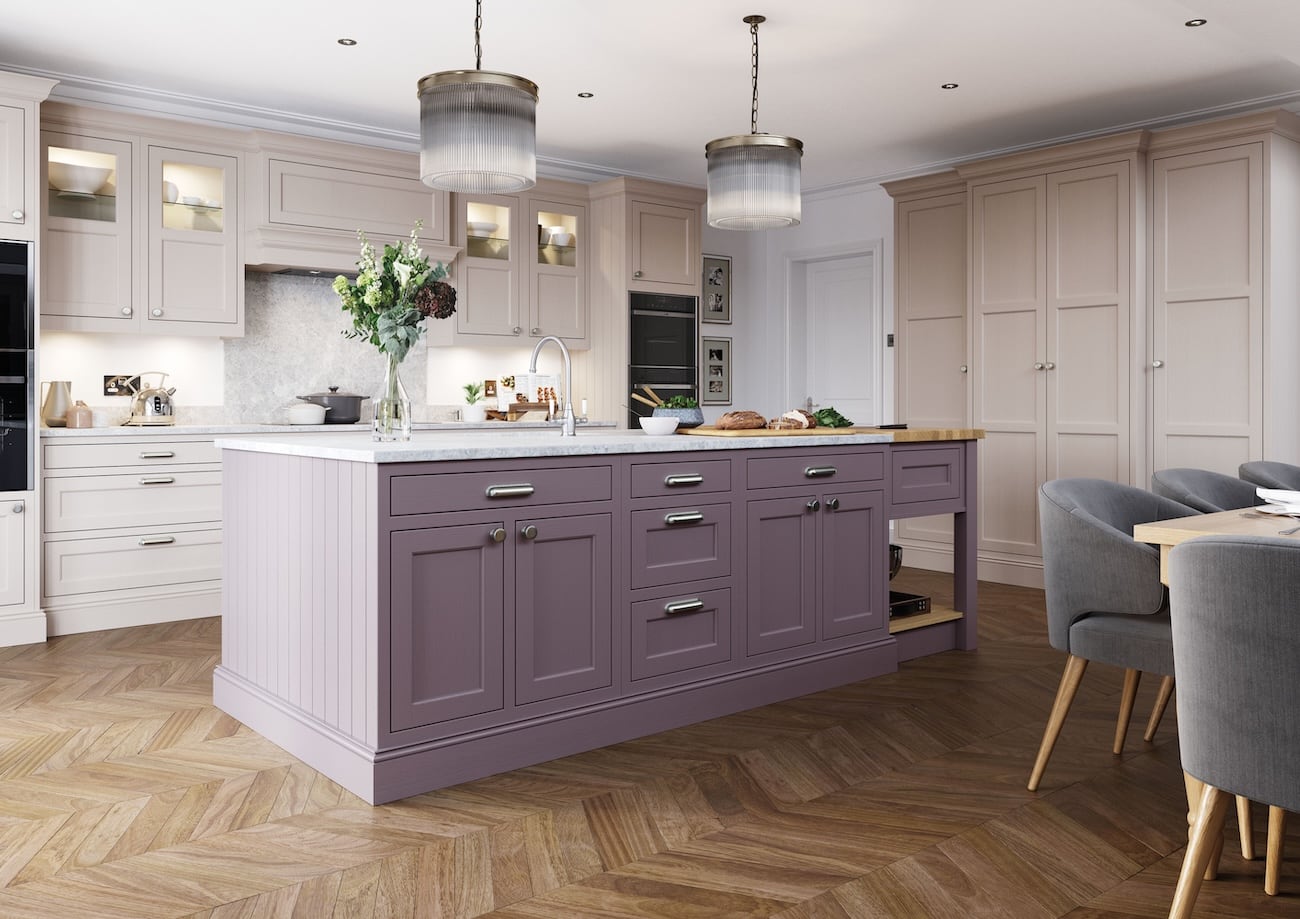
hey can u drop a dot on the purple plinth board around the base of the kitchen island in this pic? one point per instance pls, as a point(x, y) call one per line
point(380, 777)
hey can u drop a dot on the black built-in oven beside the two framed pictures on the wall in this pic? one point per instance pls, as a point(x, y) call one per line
point(662, 348)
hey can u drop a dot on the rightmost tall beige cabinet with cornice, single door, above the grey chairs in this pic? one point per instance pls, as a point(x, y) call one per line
point(1225, 280)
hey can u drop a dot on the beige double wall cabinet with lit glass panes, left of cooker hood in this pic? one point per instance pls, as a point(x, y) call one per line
point(155, 249)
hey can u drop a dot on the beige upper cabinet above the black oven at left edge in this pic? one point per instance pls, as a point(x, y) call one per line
point(20, 98)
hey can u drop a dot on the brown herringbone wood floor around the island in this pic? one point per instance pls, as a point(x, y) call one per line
point(125, 794)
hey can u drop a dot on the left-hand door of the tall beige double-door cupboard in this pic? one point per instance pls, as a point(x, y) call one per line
point(1008, 346)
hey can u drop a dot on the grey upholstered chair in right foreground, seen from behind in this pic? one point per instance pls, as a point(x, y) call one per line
point(1234, 604)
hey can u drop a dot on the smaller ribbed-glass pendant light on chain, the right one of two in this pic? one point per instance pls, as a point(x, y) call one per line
point(755, 179)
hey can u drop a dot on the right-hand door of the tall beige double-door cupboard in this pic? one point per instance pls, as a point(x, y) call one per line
point(1087, 363)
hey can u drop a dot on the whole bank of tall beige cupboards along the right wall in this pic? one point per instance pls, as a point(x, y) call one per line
point(1132, 305)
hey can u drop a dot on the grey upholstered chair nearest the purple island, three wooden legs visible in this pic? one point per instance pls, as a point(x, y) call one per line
point(1104, 597)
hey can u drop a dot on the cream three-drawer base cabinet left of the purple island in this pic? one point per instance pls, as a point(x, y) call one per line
point(132, 531)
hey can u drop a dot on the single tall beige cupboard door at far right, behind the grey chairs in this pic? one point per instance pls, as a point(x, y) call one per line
point(1208, 309)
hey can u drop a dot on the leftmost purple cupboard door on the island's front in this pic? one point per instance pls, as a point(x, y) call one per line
point(448, 619)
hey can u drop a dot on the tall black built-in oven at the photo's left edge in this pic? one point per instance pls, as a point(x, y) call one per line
point(18, 369)
